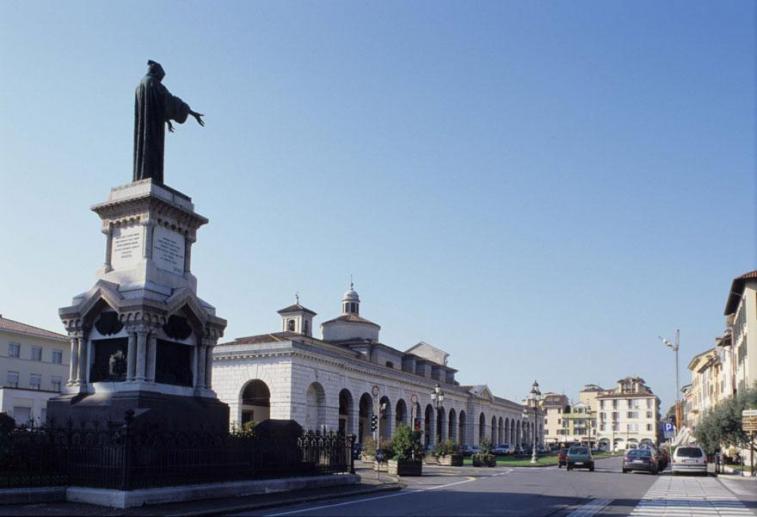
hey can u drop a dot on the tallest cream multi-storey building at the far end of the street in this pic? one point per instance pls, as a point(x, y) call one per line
point(628, 414)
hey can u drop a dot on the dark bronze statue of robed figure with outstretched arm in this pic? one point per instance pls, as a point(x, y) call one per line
point(154, 108)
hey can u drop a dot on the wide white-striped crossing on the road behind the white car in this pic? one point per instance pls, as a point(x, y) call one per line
point(678, 496)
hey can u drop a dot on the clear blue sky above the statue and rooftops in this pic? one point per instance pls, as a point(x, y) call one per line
point(539, 188)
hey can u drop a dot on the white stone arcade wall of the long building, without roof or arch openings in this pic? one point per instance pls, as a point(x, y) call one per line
point(290, 373)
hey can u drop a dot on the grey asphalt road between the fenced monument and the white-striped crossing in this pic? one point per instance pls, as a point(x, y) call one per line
point(501, 491)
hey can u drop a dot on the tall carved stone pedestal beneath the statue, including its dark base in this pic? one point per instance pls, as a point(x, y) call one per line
point(141, 339)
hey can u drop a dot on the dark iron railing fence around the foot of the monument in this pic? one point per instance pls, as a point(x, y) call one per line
point(121, 458)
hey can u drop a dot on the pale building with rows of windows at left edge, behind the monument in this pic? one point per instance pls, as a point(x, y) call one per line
point(34, 364)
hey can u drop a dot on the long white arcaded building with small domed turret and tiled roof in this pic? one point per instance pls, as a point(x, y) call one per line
point(338, 382)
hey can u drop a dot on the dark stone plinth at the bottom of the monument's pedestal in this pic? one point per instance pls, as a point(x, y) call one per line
point(151, 409)
